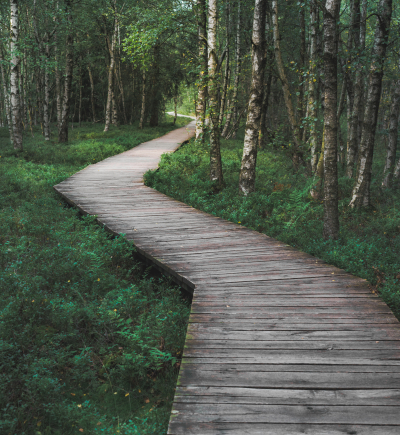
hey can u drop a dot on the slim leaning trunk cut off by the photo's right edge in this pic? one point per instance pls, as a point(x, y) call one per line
point(392, 140)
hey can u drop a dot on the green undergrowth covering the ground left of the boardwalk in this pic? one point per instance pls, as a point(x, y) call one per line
point(90, 339)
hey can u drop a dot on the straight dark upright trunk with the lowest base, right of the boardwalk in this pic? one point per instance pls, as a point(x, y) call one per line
point(331, 214)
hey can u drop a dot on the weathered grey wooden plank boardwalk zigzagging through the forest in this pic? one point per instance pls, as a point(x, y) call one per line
point(278, 343)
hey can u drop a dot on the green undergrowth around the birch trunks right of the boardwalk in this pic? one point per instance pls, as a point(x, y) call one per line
point(283, 208)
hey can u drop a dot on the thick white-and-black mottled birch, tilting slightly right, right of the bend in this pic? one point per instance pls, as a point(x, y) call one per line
point(247, 176)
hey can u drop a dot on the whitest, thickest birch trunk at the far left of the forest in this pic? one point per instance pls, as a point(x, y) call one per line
point(14, 77)
